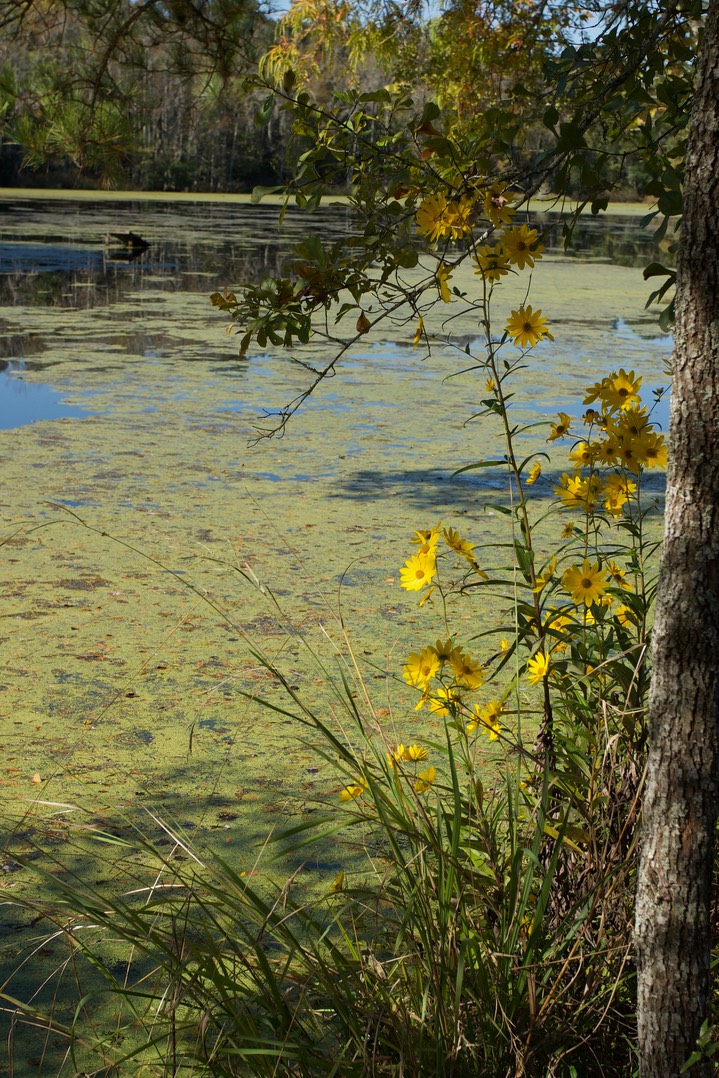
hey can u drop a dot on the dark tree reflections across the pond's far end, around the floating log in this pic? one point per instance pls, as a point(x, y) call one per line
point(56, 254)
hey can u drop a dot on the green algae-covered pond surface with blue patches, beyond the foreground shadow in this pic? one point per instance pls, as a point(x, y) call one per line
point(131, 496)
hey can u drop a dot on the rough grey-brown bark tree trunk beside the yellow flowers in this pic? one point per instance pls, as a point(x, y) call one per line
point(673, 930)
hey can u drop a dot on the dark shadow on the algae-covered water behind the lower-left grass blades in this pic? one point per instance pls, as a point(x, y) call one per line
point(42, 968)
